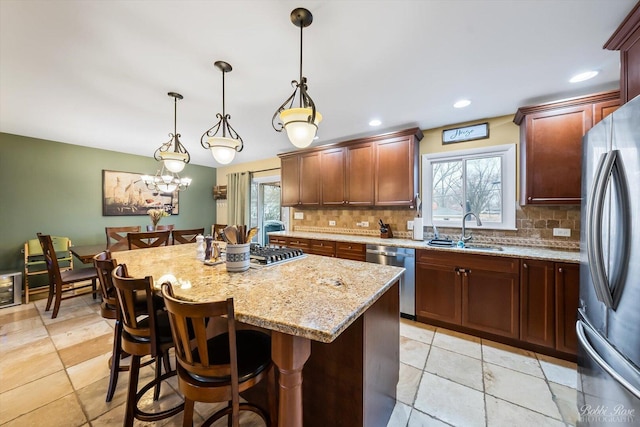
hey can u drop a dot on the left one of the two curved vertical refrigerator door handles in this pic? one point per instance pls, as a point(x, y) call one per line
point(594, 229)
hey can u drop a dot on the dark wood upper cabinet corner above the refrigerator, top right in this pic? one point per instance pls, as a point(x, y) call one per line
point(626, 39)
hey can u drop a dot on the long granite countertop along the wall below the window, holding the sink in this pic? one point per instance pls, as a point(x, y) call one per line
point(508, 251)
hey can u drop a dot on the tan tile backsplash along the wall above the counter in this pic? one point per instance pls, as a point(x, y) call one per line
point(534, 224)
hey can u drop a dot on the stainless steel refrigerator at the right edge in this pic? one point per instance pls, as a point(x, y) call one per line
point(609, 308)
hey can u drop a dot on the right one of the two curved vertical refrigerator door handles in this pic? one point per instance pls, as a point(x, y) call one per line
point(617, 275)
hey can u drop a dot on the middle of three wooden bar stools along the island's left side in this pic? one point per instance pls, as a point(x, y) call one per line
point(146, 331)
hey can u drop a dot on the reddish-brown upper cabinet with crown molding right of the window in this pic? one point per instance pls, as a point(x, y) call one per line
point(551, 146)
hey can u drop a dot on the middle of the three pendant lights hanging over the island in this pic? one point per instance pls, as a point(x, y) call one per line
point(225, 146)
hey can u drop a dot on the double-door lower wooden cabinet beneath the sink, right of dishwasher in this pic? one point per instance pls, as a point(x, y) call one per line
point(480, 292)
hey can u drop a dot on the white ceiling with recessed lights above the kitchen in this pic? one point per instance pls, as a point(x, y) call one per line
point(97, 73)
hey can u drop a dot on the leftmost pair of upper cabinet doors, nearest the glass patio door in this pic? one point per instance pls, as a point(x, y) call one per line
point(300, 180)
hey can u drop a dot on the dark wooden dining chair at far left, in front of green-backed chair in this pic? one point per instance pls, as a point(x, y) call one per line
point(61, 280)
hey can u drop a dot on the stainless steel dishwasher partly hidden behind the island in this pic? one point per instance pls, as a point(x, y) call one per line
point(399, 257)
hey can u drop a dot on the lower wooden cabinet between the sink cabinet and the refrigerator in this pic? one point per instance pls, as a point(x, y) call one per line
point(549, 305)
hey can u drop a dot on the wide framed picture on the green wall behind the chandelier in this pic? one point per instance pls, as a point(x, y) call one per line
point(125, 194)
